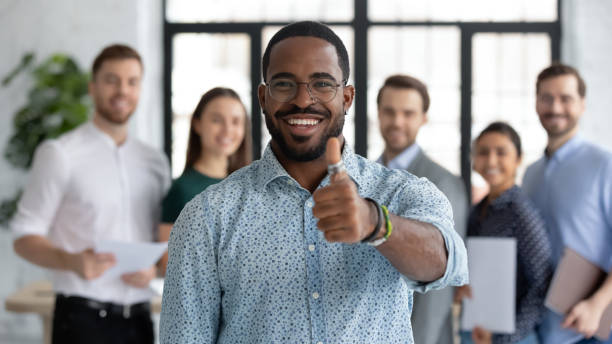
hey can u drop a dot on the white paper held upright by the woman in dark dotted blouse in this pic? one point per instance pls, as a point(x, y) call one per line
point(492, 268)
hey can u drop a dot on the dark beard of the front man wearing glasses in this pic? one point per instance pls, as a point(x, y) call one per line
point(334, 130)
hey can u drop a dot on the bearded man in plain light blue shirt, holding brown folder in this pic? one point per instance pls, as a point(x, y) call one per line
point(572, 186)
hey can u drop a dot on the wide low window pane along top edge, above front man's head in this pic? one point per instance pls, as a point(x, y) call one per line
point(258, 10)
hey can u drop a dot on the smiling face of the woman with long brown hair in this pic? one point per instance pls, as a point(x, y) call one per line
point(221, 126)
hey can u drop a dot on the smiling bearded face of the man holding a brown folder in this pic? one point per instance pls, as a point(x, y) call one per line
point(559, 106)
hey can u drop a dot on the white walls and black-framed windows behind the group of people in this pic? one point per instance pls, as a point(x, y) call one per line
point(479, 59)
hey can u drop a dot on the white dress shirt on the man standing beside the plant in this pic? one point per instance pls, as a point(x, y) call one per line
point(83, 189)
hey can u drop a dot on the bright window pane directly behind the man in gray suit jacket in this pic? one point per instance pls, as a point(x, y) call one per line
point(430, 54)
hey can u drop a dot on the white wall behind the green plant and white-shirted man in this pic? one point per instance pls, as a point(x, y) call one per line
point(81, 29)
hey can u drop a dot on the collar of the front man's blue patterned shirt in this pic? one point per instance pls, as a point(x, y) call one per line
point(271, 169)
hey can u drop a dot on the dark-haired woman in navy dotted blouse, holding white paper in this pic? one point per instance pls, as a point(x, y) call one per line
point(507, 212)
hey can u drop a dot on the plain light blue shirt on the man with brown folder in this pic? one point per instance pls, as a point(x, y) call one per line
point(573, 191)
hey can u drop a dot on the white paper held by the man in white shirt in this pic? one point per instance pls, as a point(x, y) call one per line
point(131, 256)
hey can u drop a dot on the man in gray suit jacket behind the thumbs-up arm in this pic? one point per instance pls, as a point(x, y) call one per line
point(403, 102)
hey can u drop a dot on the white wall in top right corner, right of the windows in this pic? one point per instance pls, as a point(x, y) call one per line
point(587, 45)
